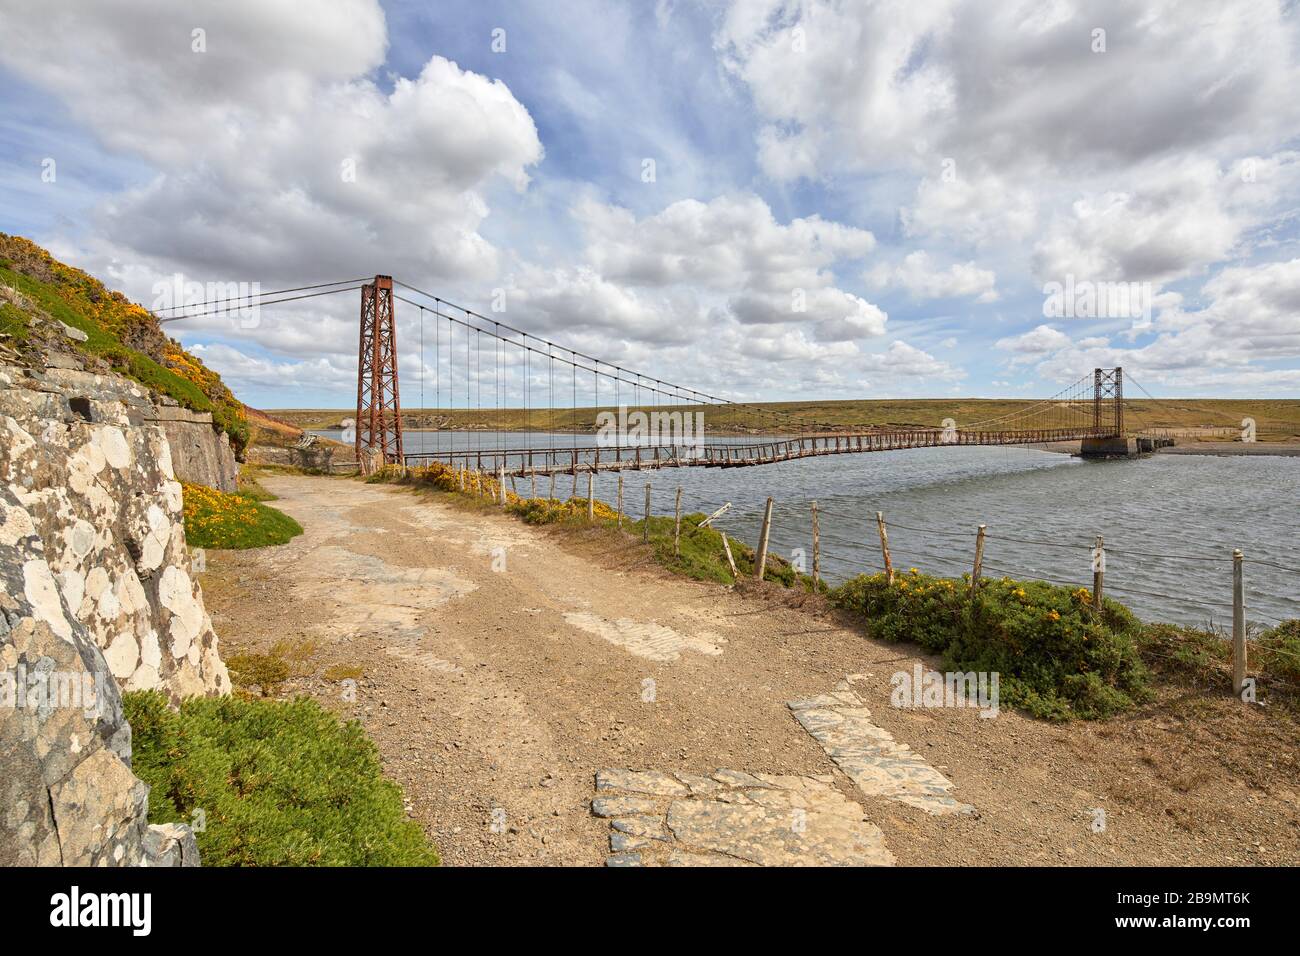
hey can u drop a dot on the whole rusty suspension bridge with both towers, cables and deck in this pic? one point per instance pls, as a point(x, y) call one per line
point(473, 352)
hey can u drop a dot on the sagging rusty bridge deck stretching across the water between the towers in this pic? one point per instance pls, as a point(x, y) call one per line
point(591, 460)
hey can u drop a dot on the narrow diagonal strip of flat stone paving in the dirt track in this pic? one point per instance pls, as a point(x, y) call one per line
point(878, 764)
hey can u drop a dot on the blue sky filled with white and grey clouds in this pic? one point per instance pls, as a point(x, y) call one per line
point(850, 200)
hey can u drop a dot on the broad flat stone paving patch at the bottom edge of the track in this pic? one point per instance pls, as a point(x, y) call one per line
point(734, 819)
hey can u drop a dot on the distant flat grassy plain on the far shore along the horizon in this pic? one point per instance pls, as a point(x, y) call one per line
point(1277, 419)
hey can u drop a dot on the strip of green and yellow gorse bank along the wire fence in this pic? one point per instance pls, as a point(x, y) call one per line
point(1059, 657)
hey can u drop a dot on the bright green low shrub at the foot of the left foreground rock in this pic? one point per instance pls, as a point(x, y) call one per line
point(279, 784)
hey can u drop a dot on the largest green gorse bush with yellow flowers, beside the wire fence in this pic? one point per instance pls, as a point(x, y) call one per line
point(1058, 657)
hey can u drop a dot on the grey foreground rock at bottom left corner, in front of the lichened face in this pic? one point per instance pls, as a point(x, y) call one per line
point(68, 795)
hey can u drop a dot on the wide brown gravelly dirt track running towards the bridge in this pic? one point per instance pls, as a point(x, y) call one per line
point(506, 665)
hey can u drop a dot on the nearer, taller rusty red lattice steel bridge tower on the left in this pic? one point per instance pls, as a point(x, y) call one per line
point(379, 406)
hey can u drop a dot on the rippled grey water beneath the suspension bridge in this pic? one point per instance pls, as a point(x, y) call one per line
point(1165, 505)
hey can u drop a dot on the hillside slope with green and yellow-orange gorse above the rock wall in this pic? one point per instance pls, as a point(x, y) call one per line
point(37, 291)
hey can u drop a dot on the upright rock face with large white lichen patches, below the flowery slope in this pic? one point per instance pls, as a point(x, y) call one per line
point(97, 483)
